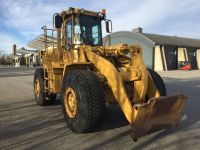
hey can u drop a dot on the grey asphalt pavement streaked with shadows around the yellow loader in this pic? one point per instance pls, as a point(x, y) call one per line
point(24, 125)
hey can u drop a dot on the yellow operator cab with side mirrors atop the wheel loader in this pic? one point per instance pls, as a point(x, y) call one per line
point(82, 27)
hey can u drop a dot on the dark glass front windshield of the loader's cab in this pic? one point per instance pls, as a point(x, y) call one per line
point(88, 28)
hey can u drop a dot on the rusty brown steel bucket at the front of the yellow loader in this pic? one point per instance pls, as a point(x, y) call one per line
point(156, 114)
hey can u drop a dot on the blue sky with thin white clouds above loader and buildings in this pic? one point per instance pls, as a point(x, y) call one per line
point(21, 20)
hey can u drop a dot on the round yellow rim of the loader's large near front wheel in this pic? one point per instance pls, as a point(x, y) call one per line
point(70, 102)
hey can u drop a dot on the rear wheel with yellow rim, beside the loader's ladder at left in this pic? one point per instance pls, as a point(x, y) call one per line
point(41, 97)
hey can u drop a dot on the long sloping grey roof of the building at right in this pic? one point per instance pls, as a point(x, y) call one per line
point(173, 40)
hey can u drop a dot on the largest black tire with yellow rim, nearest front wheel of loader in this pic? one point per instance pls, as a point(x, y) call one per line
point(89, 100)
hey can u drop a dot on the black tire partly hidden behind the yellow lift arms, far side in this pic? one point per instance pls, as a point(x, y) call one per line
point(158, 82)
